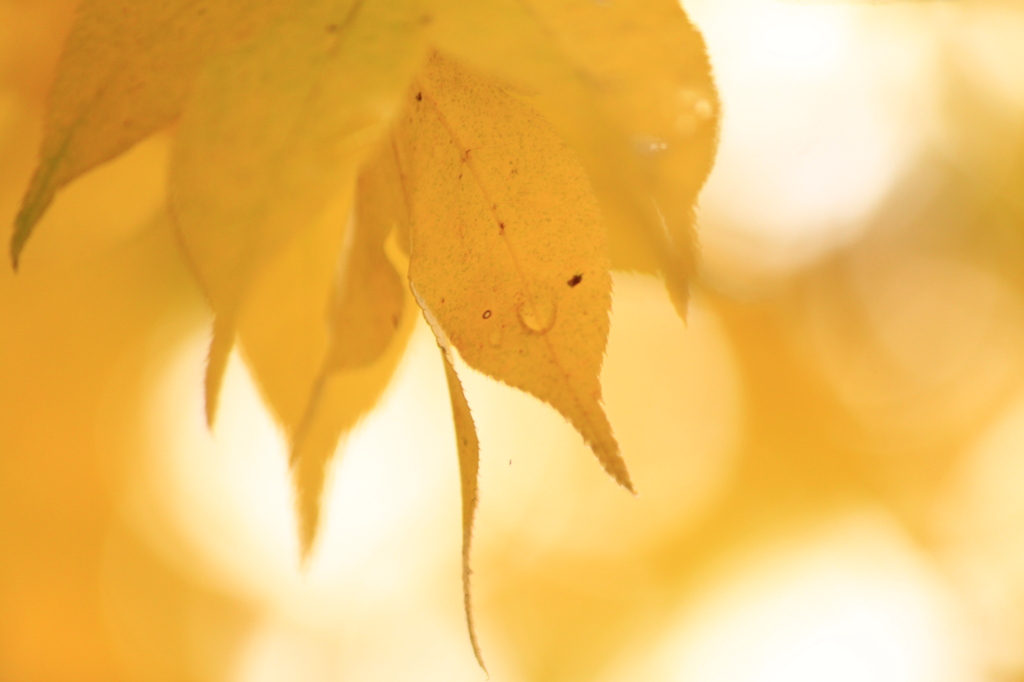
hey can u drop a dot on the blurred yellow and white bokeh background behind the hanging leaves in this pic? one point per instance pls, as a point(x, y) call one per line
point(829, 456)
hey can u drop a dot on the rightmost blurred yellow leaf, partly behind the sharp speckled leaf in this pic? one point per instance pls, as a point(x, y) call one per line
point(629, 87)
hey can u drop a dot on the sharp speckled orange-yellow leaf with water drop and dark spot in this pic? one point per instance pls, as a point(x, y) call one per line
point(508, 251)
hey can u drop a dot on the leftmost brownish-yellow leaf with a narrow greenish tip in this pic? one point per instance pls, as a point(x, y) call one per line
point(125, 72)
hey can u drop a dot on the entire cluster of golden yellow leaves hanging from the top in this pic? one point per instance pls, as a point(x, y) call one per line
point(505, 145)
